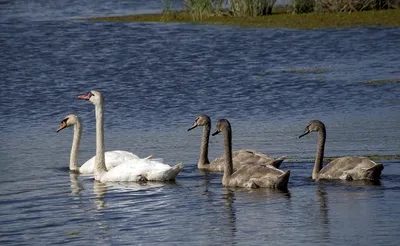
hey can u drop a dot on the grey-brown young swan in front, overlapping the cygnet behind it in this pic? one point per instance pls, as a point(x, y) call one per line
point(250, 176)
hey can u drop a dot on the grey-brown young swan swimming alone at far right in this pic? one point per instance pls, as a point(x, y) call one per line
point(345, 168)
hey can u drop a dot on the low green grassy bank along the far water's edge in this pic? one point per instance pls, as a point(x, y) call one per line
point(381, 18)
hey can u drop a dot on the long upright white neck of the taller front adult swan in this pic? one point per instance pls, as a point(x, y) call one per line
point(100, 165)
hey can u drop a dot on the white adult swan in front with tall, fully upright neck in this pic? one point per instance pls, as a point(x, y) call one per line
point(132, 170)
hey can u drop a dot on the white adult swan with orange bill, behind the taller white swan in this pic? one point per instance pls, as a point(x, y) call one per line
point(112, 158)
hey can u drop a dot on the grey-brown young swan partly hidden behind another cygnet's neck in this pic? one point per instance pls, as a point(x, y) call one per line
point(240, 158)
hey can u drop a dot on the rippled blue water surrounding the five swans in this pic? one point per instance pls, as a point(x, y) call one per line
point(156, 78)
